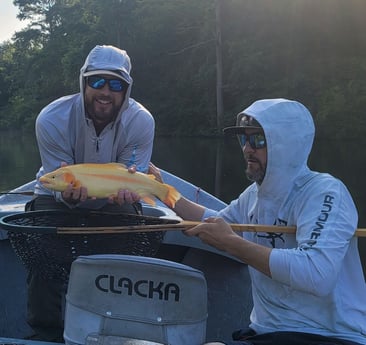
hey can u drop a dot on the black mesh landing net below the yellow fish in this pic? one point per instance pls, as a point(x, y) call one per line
point(51, 254)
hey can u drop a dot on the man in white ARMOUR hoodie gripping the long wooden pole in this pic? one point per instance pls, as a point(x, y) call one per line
point(308, 288)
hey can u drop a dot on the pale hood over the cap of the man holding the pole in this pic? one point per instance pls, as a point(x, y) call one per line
point(289, 130)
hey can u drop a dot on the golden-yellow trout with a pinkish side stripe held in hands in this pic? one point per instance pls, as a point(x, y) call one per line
point(105, 180)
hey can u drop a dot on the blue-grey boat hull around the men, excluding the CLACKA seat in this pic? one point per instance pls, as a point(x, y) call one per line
point(228, 281)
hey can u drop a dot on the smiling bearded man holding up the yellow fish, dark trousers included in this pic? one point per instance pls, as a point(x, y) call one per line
point(100, 124)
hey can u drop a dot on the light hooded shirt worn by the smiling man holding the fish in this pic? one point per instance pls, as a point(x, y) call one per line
point(66, 134)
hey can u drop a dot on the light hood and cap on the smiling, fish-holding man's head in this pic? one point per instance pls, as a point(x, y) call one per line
point(109, 60)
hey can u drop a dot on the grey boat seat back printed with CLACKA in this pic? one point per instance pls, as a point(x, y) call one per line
point(124, 299)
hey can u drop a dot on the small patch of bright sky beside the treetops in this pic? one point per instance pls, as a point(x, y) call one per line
point(8, 20)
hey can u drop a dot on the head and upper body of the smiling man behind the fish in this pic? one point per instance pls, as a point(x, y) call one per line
point(100, 124)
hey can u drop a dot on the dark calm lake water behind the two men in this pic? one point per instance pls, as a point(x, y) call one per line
point(212, 164)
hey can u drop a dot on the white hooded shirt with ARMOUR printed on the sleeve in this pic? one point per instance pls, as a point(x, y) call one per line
point(317, 283)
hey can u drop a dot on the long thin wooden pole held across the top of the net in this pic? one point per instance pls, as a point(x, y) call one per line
point(184, 225)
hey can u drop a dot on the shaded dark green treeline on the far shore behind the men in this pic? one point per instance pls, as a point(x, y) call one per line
point(309, 50)
